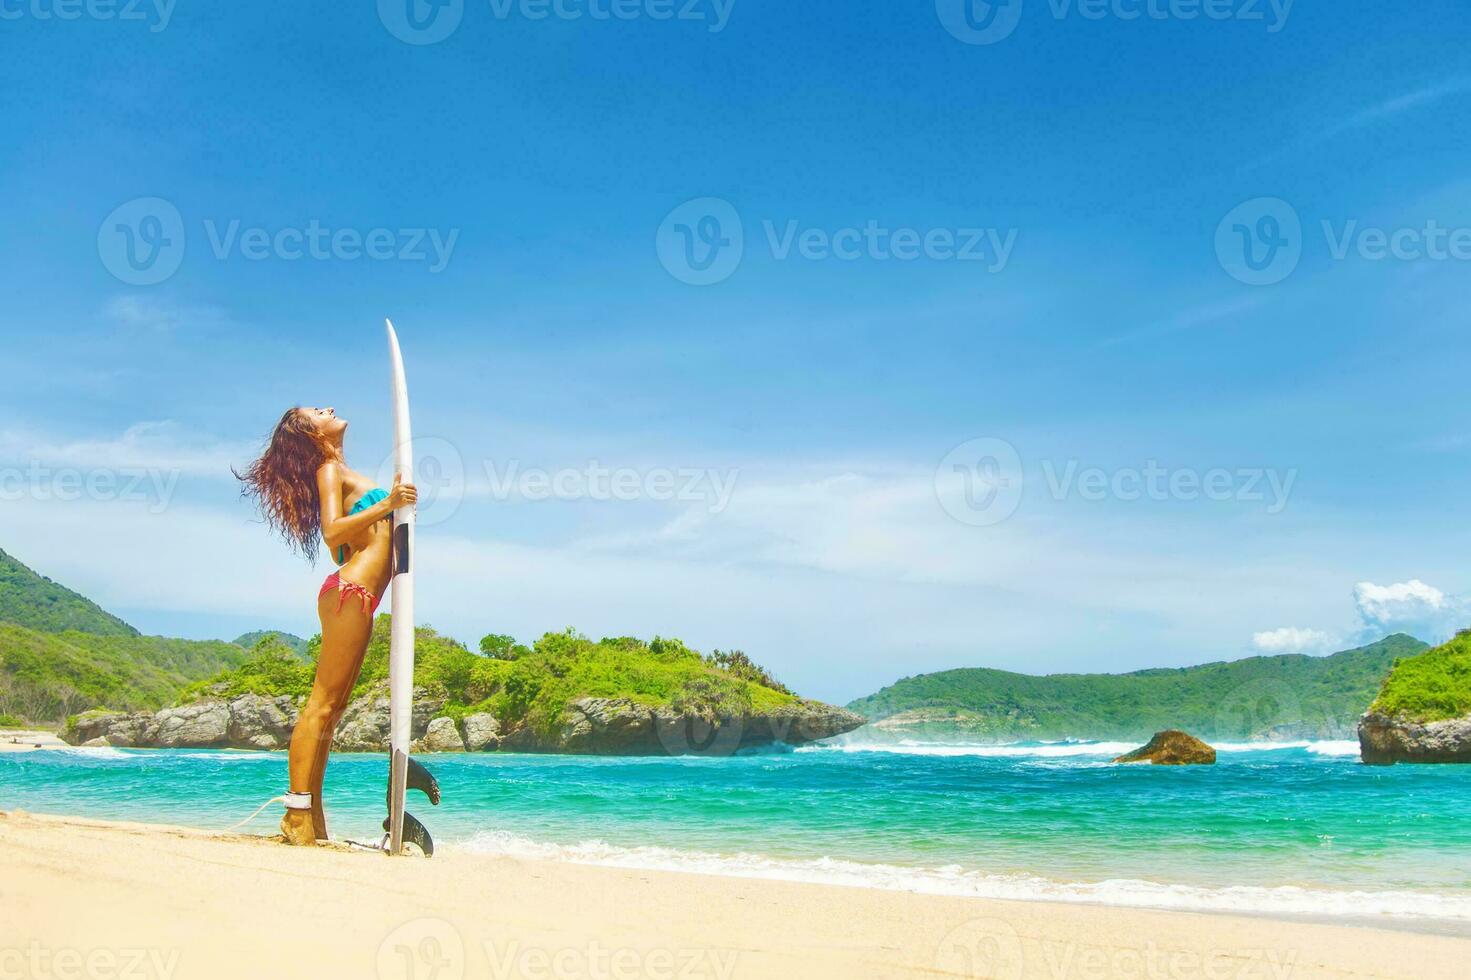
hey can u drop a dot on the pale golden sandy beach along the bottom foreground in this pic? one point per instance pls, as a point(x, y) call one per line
point(88, 898)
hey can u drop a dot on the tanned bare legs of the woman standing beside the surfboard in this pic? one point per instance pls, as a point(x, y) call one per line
point(346, 631)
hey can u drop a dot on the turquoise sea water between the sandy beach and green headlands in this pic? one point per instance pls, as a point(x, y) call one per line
point(1298, 829)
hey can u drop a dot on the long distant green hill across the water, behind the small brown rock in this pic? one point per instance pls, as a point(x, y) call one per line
point(1264, 697)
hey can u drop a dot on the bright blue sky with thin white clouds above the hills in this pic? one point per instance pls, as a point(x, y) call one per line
point(555, 161)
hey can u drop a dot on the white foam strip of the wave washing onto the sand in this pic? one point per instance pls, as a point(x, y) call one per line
point(955, 881)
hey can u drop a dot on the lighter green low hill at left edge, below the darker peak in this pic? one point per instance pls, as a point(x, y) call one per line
point(49, 676)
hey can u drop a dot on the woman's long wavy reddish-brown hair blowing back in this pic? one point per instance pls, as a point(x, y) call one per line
point(283, 482)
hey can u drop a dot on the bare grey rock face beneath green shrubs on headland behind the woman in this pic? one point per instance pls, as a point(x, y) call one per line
point(591, 726)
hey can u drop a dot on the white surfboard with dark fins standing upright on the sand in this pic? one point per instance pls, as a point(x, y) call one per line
point(404, 773)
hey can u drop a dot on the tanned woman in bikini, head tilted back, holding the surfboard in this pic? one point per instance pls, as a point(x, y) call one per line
point(310, 495)
